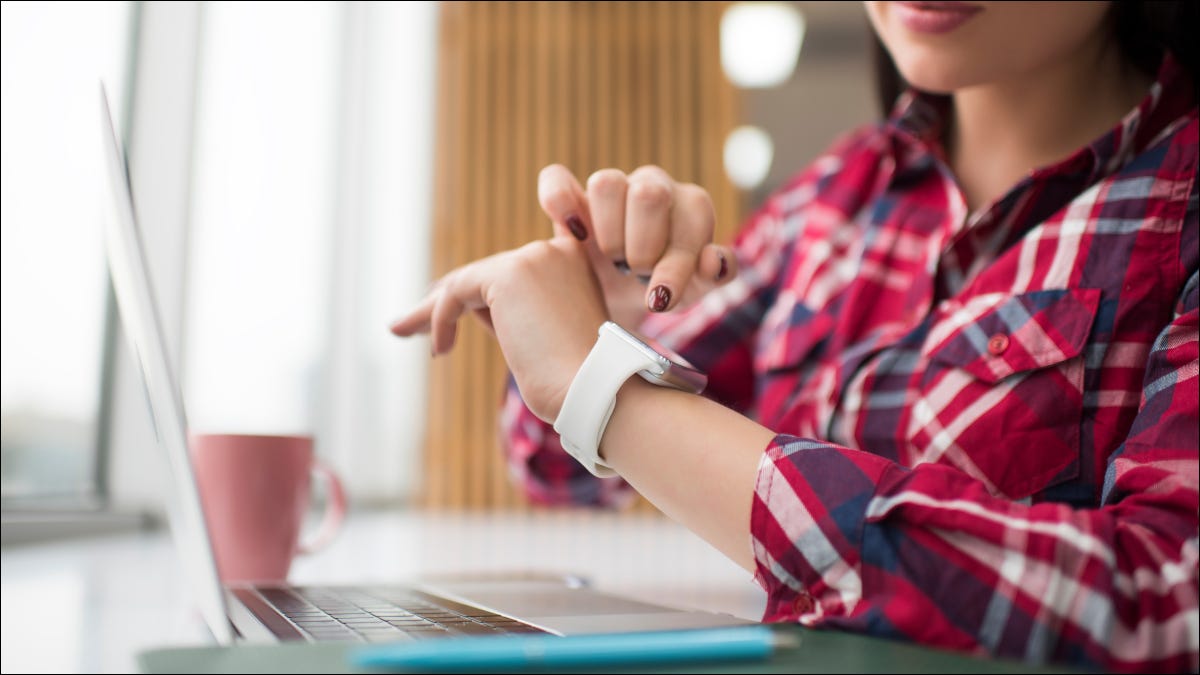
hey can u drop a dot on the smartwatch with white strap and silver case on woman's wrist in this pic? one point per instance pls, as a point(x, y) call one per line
point(592, 396)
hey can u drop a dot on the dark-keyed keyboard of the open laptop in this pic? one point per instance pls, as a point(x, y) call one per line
point(383, 616)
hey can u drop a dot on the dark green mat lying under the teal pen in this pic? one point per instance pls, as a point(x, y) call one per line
point(818, 652)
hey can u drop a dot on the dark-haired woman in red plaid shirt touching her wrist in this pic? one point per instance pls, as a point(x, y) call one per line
point(952, 366)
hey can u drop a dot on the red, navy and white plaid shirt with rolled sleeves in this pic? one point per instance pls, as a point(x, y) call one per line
point(988, 422)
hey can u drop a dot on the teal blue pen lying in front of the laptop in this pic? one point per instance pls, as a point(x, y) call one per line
point(509, 653)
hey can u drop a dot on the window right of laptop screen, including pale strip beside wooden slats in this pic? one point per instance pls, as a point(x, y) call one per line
point(309, 232)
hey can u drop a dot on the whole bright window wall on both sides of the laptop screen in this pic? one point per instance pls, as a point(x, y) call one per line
point(281, 164)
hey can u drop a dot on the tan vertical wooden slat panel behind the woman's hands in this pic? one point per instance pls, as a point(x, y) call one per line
point(526, 85)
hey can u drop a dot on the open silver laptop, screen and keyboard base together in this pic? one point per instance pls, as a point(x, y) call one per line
point(284, 613)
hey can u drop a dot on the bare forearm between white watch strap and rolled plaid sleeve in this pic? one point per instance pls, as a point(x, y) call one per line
point(694, 459)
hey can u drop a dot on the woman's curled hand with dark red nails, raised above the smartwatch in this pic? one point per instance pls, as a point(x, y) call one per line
point(655, 237)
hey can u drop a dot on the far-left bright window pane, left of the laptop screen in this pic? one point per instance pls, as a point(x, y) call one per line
point(53, 309)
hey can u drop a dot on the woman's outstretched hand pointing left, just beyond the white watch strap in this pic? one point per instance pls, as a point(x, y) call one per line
point(542, 302)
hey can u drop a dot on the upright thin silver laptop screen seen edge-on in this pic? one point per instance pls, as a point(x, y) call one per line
point(140, 315)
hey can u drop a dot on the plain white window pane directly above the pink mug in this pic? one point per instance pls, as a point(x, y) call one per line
point(263, 208)
